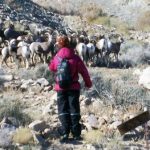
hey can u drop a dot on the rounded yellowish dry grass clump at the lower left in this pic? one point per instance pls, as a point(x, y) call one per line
point(23, 136)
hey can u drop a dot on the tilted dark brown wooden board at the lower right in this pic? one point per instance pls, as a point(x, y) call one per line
point(134, 122)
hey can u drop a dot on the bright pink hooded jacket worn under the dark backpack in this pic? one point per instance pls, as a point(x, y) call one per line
point(77, 66)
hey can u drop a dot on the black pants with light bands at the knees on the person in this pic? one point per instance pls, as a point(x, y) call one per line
point(69, 111)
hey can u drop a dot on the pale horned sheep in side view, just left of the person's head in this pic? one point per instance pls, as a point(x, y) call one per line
point(41, 48)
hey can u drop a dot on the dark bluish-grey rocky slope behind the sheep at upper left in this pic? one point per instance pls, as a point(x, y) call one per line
point(28, 12)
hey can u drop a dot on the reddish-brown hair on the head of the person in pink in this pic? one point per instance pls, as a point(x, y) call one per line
point(63, 41)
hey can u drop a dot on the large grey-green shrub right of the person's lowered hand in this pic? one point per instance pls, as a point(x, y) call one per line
point(121, 92)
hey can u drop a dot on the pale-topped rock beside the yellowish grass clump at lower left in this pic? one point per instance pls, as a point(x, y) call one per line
point(38, 125)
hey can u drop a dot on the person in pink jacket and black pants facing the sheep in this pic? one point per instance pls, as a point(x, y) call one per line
point(68, 92)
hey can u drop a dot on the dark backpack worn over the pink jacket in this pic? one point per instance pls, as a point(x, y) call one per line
point(63, 74)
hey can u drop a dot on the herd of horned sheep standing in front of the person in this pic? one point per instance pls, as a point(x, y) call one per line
point(31, 48)
